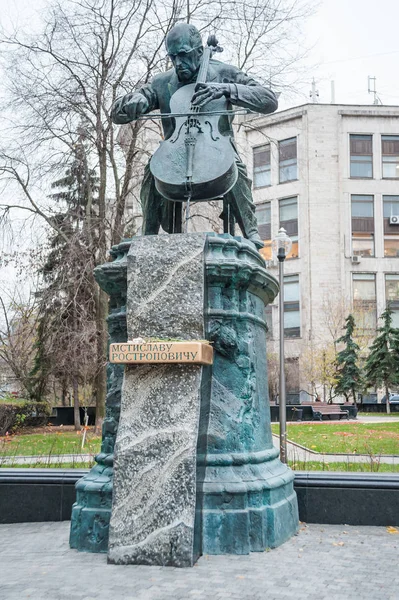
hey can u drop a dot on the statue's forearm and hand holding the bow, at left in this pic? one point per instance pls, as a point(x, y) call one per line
point(129, 107)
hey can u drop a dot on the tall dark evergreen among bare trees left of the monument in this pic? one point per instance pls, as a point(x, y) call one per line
point(66, 340)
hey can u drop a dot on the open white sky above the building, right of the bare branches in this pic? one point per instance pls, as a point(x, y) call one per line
point(352, 40)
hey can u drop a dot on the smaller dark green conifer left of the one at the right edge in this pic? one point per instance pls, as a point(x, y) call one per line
point(349, 377)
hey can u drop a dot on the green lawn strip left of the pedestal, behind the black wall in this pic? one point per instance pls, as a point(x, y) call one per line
point(46, 444)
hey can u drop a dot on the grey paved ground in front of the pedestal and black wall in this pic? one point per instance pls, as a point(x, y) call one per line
point(322, 561)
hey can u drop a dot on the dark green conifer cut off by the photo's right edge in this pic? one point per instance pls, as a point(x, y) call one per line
point(382, 364)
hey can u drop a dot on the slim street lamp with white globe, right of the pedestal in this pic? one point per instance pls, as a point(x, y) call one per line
point(281, 246)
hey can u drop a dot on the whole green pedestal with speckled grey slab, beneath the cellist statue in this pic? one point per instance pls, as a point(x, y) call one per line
point(244, 495)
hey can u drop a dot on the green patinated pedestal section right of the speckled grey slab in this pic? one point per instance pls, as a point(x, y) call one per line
point(246, 494)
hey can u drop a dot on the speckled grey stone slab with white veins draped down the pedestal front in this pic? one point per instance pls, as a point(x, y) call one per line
point(154, 494)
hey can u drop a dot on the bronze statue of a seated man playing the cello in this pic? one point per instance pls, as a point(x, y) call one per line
point(193, 91)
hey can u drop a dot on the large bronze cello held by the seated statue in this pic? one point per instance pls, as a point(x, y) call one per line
point(197, 163)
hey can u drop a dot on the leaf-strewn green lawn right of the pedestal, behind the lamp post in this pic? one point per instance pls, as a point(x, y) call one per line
point(356, 438)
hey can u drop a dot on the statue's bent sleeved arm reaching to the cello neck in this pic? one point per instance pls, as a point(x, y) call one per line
point(248, 93)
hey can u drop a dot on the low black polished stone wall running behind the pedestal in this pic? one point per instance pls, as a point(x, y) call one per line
point(29, 495)
